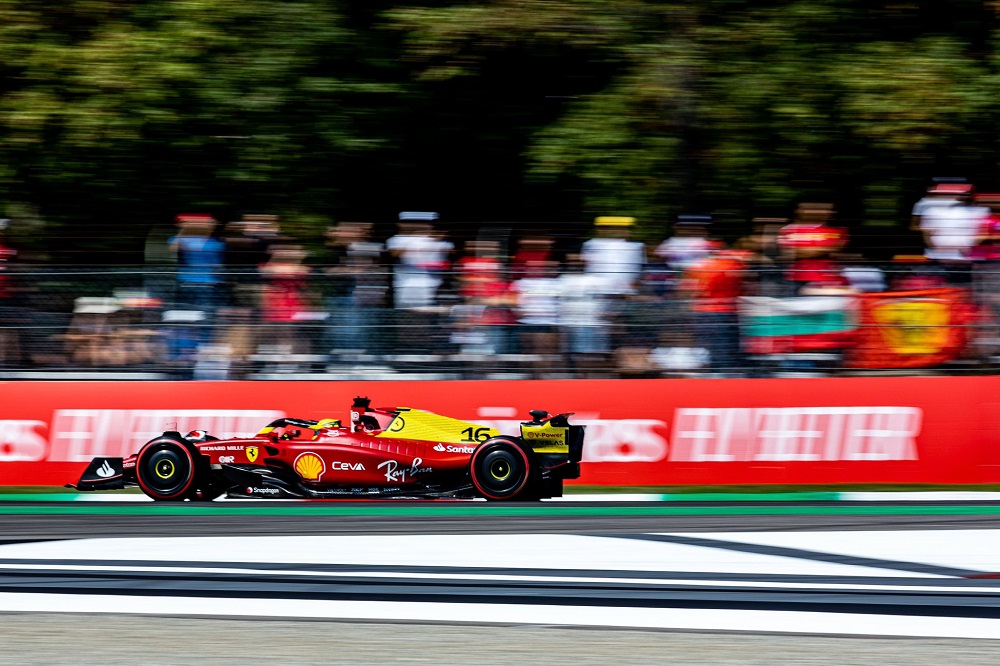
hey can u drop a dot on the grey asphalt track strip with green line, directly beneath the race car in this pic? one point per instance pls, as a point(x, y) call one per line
point(21, 521)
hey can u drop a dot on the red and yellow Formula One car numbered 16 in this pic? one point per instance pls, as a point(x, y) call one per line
point(385, 452)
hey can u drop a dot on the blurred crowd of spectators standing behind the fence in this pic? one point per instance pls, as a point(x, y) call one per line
point(239, 299)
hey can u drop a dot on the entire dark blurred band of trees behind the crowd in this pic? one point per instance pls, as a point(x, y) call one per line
point(116, 115)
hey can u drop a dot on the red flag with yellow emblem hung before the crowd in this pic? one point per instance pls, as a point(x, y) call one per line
point(911, 329)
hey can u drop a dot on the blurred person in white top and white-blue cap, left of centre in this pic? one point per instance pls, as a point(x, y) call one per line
point(421, 256)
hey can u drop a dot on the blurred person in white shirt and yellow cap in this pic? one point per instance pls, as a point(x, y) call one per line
point(613, 256)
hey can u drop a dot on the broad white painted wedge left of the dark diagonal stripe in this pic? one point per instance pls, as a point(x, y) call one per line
point(506, 551)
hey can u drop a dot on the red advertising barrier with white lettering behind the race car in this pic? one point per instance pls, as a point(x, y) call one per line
point(940, 430)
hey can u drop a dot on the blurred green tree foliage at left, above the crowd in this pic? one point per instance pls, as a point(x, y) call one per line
point(113, 111)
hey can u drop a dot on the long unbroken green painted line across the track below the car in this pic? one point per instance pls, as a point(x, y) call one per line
point(483, 510)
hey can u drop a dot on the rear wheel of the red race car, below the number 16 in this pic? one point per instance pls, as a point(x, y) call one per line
point(502, 469)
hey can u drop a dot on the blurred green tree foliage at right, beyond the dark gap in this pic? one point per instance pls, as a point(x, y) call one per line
point(749, 107)
